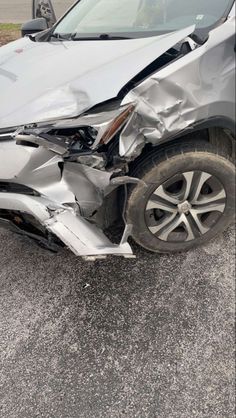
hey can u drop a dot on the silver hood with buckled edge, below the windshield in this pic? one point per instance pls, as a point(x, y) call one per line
point(41, 81)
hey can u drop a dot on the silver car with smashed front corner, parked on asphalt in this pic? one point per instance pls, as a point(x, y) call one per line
point(117, 122)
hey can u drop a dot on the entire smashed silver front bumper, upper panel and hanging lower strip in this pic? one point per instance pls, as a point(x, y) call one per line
point(63, 196)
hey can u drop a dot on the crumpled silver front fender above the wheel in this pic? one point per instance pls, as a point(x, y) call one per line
point(197, 87)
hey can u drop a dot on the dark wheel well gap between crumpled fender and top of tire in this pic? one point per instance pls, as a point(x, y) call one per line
point(223, 140)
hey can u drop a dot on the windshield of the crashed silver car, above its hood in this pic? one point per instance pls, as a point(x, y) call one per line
point(143, 17)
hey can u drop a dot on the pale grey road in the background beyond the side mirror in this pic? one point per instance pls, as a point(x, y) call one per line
point(19, 11)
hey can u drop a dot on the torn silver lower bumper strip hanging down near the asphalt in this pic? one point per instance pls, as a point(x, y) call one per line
point(83, 238)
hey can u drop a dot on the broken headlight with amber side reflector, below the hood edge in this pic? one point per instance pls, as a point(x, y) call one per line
point(90, 130)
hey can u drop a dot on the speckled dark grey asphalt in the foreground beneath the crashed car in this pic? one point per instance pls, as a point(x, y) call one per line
point(151, 337)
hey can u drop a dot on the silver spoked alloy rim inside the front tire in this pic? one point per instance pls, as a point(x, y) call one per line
point(185, 207)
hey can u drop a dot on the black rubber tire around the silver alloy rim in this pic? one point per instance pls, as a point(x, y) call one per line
point(159, 167)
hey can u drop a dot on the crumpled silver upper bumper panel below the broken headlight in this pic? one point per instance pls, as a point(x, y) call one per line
point(39, 169)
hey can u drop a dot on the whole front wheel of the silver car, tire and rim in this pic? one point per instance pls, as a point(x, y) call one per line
point(186, 197)
